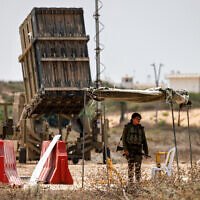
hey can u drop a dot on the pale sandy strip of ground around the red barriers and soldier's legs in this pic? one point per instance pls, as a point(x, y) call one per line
point(93, 174)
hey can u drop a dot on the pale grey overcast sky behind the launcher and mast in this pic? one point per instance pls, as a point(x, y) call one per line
point(137, 33)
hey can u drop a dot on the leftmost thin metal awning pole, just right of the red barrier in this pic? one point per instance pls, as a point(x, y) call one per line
point(83, 145)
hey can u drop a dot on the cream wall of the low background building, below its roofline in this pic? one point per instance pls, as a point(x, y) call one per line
point(189, 84)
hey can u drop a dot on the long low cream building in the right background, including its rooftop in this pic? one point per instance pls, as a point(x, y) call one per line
point(189, 82)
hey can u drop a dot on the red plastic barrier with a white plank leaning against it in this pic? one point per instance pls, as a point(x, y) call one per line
point(55, 170)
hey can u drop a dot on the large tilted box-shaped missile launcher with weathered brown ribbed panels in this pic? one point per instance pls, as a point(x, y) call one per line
point(54, 60)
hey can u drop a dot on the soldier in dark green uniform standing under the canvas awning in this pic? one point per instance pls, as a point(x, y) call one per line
point(134, 141)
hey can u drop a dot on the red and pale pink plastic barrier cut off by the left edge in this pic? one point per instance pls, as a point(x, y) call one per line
point(8, 171)
